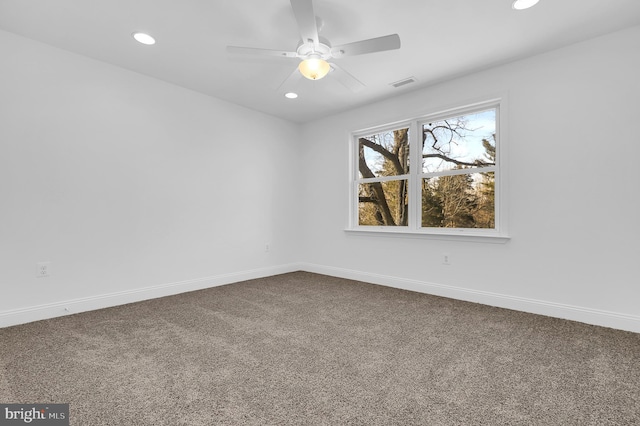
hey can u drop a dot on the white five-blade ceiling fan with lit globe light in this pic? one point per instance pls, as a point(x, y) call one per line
point(315, 51)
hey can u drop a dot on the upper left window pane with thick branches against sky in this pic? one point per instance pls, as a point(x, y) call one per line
point(384, 154)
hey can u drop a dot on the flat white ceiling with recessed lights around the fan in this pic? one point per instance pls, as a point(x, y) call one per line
point(440, 39)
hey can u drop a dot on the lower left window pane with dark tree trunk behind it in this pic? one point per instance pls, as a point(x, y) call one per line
point(383, 203)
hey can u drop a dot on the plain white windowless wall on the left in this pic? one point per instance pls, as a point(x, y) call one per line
point(132, 187)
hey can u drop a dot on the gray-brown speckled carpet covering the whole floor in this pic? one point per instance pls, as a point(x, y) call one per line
point(306, 349)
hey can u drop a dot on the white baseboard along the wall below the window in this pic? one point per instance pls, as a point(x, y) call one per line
point(557, 310)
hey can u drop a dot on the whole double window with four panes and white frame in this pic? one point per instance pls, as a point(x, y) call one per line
point(437, 174)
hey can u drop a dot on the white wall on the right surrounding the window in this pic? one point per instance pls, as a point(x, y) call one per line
point(573, 190)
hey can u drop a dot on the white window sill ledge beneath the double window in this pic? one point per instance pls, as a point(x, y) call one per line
point(462, 235)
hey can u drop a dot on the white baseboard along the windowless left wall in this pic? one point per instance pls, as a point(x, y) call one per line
point(68, 307)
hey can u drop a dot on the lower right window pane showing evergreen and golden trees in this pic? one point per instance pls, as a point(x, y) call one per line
point(459, 201)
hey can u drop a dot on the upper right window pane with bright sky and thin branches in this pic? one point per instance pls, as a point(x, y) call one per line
point(459, 142)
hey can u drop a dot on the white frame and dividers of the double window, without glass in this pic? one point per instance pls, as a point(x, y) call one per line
point(415, 176)
